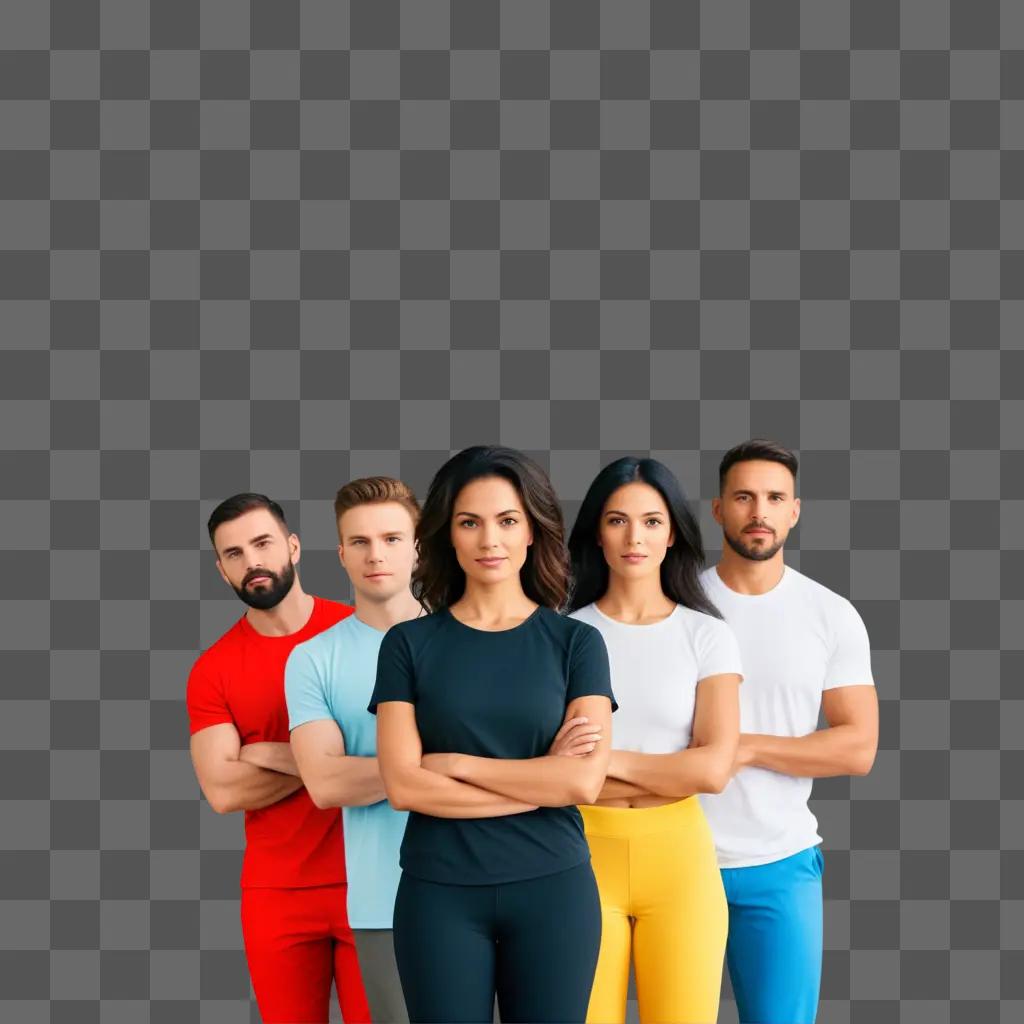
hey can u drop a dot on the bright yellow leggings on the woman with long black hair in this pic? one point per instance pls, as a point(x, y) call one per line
point(663, 901)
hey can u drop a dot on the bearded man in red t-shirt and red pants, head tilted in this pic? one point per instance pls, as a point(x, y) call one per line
point(294, 918)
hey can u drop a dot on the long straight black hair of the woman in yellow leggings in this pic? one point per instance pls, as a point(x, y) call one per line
point(684, 562)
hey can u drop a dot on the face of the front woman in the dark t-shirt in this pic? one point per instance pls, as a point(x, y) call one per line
point(491, 531)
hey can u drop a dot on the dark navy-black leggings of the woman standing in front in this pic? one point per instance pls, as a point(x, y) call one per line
point(534, 944)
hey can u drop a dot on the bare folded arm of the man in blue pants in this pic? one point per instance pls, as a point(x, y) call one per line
point(847, 747)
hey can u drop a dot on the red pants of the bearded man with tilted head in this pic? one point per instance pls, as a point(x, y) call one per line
point(297, 942)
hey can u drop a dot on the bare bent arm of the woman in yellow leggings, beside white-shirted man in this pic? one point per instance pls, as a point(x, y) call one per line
point(707, 764)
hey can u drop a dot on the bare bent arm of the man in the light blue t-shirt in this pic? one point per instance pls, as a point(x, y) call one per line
point(333, 778)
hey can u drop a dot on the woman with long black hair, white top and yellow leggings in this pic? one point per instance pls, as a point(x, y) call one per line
point(636, 554)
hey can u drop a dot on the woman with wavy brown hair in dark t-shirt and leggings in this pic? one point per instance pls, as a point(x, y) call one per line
point(476, 704)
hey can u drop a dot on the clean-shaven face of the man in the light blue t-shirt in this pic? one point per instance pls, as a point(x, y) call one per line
point(377, 549)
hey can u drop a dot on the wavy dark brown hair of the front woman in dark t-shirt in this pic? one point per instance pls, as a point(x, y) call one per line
point(439, 580)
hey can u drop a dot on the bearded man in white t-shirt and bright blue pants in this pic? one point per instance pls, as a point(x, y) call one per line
point(804, 650)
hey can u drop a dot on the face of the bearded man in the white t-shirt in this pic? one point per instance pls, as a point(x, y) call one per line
point(757, 508)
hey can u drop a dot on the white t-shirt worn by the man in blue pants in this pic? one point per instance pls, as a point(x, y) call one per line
point(797, 642)
